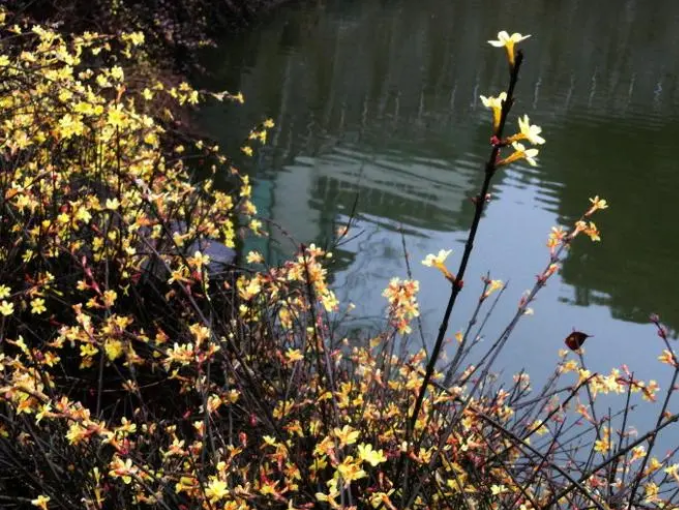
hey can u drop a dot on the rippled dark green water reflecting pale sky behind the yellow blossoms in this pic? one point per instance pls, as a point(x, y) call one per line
point(376, 104)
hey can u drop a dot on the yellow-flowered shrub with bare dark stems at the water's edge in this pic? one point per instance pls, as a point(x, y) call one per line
point(136, 372)
